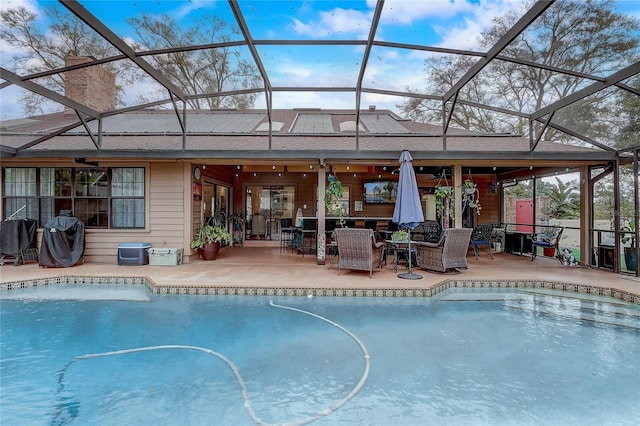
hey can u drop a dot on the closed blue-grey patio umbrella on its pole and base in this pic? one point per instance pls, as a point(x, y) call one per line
point(408, 210)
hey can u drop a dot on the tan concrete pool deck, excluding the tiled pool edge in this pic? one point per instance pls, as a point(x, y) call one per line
point(268, 267)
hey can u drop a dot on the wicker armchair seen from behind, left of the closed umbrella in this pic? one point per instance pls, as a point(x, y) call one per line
point(358, 249)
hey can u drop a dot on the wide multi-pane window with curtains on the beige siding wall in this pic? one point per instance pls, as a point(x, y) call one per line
point(99, 197)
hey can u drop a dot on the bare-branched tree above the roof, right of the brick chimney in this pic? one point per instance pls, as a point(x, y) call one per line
point(208, 71)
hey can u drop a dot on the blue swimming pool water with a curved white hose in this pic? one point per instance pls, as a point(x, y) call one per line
point(476, 357)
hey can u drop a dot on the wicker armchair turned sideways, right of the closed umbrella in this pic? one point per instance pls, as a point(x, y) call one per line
point(448, 253)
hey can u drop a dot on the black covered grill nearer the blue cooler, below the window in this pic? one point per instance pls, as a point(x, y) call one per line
point(62, 242)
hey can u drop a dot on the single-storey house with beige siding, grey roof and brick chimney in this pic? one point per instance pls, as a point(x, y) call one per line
point(144, 175)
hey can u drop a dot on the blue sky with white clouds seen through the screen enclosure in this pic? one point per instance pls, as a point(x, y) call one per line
point(450, 23)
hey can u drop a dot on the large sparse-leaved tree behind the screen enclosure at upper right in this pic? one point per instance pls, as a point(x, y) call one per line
point(586, 36)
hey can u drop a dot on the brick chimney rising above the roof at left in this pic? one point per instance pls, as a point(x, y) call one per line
point(92, 86)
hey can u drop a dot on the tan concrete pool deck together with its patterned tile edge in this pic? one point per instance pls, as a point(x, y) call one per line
point(258, 269)
